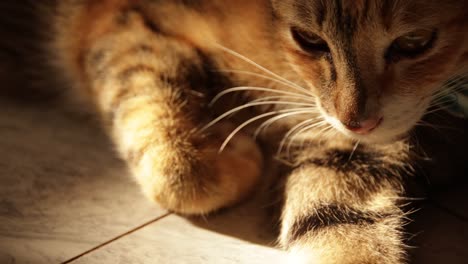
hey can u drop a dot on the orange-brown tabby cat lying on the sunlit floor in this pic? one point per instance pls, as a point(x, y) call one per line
point(337, 86)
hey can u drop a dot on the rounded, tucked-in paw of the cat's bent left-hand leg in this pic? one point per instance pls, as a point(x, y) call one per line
point(192, 177)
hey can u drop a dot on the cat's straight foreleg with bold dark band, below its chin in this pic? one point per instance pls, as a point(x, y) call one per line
point(341, 208)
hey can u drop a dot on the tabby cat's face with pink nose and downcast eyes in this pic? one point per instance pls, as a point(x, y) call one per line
point(375, 65)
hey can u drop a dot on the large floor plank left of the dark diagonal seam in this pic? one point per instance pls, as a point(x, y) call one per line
point(62, 189)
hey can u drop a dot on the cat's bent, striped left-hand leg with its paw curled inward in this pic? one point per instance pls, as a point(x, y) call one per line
point(151, 91)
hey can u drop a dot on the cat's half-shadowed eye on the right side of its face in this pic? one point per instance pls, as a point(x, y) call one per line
point(414, 43)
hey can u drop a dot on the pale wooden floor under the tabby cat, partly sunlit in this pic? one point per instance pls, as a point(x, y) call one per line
point(66, 198)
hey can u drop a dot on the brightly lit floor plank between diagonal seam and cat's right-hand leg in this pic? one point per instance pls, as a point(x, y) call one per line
point(242, 234)
